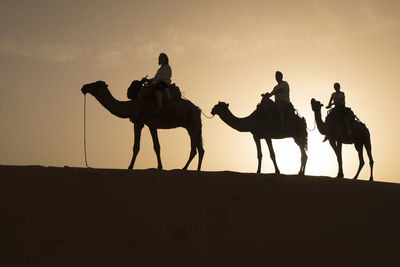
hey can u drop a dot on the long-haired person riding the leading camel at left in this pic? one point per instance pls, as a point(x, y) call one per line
point(161, 80)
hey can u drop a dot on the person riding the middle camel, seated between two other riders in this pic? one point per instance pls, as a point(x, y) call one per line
point(281, 93)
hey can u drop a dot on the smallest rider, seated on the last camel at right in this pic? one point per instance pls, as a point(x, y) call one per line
point(340, 112)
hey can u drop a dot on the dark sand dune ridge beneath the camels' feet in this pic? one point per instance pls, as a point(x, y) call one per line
point(92, 217)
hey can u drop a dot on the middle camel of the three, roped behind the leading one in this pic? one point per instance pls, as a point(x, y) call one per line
point(265, 125)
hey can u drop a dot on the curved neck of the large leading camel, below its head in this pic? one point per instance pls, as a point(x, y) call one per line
point(121, 109)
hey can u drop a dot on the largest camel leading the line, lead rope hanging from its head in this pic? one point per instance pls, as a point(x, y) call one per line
point(182, 113)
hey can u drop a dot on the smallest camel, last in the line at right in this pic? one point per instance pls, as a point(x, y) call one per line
point(337, 136)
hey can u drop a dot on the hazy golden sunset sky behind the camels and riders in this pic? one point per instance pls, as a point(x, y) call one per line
point(219, 51)
